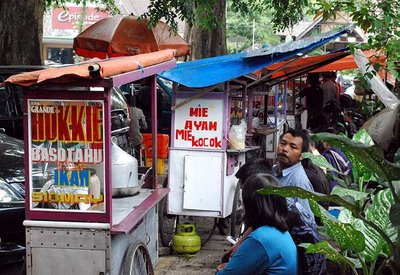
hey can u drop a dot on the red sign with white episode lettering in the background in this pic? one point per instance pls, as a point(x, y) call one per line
point(69, 18)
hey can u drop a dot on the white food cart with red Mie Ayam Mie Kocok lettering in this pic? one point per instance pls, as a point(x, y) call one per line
point(203, 160)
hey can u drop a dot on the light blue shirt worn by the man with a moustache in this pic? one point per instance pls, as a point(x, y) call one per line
point(295, 176)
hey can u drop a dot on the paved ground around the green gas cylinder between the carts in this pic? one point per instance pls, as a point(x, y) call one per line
point(204, 262)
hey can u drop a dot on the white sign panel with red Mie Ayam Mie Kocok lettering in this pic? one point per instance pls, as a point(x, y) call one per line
point(199, 124)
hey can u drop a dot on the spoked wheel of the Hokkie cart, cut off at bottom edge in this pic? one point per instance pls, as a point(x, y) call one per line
point(137, 261)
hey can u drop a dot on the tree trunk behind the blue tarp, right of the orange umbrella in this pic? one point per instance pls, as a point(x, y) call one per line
point(205, 42)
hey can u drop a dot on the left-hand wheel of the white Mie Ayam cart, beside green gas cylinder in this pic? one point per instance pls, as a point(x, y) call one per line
point(166, 223)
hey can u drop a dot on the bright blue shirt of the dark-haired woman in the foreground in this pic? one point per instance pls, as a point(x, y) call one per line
point(265, 250)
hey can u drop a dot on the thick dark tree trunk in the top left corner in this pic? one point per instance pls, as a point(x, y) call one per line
point(21, 31)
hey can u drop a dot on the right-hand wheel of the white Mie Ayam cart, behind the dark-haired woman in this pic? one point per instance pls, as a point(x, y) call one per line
point(237, 225)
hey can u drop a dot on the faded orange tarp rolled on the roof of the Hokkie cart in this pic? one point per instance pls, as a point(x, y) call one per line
point(108, 68)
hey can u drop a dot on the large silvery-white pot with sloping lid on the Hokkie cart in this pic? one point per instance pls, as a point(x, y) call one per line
point(125, 180)
